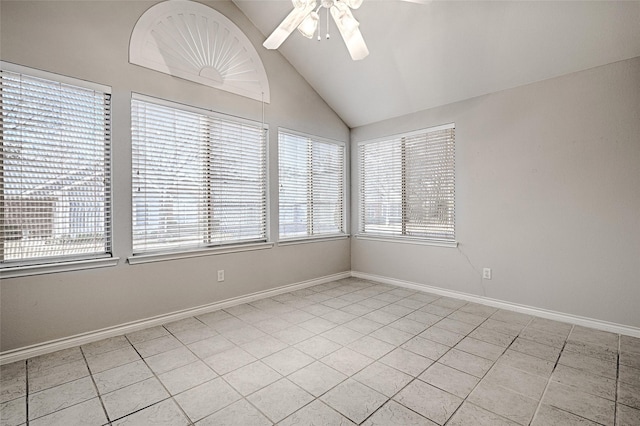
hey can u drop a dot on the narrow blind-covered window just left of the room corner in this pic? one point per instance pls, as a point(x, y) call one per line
point(311, 186)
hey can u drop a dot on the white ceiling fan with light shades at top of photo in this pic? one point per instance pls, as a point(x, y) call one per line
point(305, 17)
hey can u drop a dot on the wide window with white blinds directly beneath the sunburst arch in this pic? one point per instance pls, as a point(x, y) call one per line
point(199, 178)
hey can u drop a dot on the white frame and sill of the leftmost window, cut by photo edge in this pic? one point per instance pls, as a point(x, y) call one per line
point(72, 262)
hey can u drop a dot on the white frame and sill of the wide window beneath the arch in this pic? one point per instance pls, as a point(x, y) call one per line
point(213, 248)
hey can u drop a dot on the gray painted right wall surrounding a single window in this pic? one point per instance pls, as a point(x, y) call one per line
point(547, 195)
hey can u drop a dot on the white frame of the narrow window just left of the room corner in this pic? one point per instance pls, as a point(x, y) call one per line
point(299, 239)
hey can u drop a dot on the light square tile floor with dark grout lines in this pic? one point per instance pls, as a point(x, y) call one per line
point(342, 353)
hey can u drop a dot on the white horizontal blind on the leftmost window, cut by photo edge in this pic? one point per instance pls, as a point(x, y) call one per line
point(55, 169)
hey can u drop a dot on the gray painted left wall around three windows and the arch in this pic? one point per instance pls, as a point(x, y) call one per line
point(90, 41)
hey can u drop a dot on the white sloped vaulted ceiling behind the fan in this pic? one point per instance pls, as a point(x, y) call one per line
point(427, 55)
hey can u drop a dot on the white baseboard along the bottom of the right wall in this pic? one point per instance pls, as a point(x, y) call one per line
point(544, 313)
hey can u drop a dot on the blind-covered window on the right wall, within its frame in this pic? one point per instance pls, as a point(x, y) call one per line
point(407, 185)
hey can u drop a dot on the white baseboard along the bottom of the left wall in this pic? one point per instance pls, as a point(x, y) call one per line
point(93, 336)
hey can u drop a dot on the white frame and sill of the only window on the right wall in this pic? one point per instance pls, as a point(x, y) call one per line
point(402, 238)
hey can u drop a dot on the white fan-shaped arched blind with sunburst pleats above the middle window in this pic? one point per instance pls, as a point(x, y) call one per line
point(189, 40)
